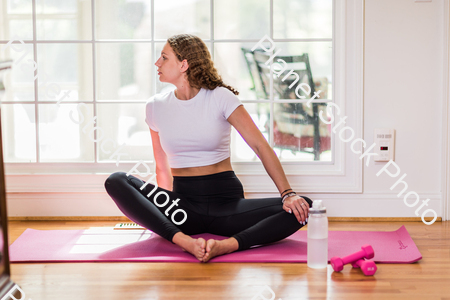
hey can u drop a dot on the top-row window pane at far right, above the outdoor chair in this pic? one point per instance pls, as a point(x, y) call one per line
point(303, 19)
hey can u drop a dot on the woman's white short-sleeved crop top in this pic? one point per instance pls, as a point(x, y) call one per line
point(193, 132)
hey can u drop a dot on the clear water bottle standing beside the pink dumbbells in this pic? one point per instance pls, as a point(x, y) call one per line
point(317, 255)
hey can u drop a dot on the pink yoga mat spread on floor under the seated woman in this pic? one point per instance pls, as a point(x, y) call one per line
point(103, 244)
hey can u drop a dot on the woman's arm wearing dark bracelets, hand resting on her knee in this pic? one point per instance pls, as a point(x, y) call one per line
point(244, 124)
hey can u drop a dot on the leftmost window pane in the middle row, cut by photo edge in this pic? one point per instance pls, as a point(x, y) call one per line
point(19, 82)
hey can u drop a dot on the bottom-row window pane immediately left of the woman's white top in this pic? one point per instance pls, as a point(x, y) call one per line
point(123, 124)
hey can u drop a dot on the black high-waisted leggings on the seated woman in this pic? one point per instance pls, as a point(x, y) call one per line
point(212, 203)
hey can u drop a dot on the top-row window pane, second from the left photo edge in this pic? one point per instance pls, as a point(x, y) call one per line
point(63, 20)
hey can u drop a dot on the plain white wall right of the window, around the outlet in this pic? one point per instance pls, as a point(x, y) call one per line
point(403, 85)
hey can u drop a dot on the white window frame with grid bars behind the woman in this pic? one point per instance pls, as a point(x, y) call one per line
point(342, 175)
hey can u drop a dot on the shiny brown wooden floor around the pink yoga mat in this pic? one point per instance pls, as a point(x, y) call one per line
point(427, 279)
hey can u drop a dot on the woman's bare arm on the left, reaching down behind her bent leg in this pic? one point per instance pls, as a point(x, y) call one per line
point(163, 173)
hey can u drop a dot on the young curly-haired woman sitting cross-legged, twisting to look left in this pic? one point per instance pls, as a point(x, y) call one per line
point(190, 129)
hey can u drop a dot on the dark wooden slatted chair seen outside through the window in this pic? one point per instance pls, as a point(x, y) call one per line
point(296, 126)
